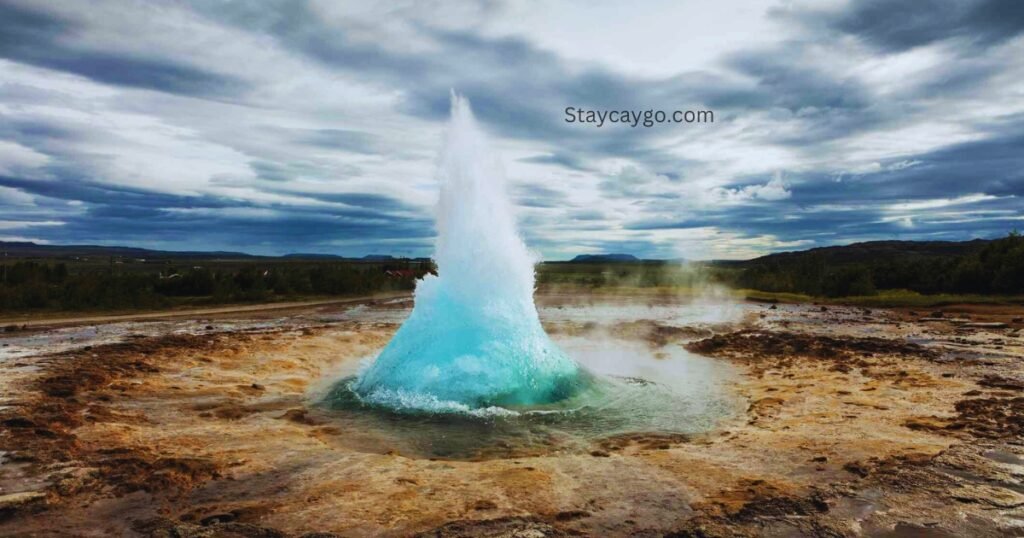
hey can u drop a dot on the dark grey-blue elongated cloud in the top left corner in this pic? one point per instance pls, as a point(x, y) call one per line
point(41, 39)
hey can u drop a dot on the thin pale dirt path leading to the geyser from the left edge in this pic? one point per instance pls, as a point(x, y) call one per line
point(33, 322)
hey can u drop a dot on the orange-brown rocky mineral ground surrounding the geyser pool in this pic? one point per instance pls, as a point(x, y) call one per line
point(858, 423)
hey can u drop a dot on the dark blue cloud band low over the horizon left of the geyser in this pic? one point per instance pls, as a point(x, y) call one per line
point(114, 214)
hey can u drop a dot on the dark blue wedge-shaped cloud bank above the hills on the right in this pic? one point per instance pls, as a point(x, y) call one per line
point(976, 190)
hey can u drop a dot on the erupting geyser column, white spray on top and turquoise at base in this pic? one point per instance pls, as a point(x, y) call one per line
point(475, 340)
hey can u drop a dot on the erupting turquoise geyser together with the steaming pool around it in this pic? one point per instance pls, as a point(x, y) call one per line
point(472, 370)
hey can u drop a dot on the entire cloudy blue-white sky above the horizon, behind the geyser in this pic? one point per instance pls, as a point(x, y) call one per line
point(314, 127)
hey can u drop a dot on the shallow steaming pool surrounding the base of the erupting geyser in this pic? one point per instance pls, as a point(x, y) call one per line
point(634, 387)
